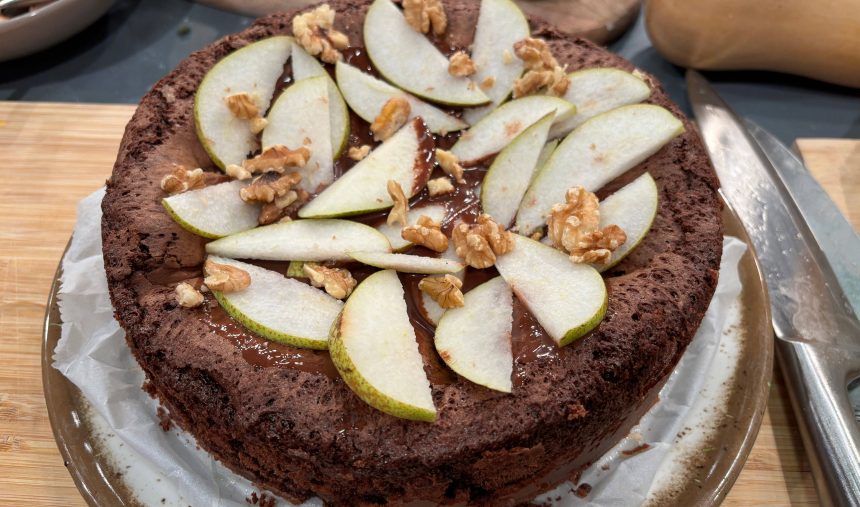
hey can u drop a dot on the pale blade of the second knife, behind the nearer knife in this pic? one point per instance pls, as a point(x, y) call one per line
point(836, 237)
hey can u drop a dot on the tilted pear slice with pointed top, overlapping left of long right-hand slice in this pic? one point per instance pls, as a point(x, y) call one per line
point(512, 171)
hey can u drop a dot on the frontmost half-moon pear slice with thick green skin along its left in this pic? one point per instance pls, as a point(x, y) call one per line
point(374, 348)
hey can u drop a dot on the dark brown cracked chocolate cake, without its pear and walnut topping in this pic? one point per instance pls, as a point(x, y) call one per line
point(282, 417)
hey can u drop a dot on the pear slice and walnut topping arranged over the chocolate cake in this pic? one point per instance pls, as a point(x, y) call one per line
point(475, 164)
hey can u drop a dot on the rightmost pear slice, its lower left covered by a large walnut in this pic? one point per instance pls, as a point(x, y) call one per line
point(632, 208)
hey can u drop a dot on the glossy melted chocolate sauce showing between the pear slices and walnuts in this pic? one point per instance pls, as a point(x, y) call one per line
point(528, 339)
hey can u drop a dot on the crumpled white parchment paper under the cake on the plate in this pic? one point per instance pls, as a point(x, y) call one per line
point(92, 353)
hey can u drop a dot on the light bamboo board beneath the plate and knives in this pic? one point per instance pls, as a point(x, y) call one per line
point(56, 154)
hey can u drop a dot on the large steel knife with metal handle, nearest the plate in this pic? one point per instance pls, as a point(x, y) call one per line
point(818, 335)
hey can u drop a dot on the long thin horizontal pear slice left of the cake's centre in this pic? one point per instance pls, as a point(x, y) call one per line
point(301, 240)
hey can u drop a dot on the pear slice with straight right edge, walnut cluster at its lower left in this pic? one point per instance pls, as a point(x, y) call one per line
point(300, 117)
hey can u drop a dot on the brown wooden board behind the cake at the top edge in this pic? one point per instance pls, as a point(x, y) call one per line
point(601, 21)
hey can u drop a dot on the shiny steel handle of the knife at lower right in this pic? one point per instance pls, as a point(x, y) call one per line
point(817, 377)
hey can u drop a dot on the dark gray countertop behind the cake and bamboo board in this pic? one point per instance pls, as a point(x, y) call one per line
point(120, 56)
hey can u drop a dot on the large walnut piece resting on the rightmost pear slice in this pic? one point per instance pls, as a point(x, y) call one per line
point(574, 226)
